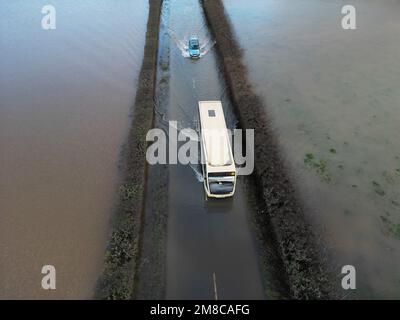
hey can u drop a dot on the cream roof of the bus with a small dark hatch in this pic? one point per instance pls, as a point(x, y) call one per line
point(215, 135)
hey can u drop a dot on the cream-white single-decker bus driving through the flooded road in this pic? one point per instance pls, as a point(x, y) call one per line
point(218, 164)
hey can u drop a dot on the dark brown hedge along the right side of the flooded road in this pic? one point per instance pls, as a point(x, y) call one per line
point(306, 271)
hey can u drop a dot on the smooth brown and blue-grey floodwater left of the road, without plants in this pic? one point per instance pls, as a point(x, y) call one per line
point(65, 99)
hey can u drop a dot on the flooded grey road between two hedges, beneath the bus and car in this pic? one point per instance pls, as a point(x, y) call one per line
point(211, 251)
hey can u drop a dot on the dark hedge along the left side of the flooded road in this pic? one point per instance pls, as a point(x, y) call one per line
point(119, 276)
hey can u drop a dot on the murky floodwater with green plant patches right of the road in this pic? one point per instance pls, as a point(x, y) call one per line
point(334, 99)
